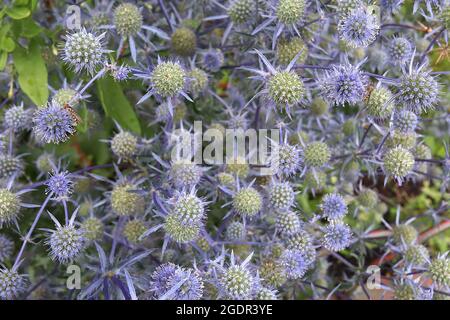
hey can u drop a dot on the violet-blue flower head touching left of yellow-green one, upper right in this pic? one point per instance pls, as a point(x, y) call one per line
point(344, 84)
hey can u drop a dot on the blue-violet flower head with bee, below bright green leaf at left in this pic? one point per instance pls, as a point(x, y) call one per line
point(53, 124)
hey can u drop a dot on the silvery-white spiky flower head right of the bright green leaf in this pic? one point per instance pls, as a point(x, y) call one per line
point(83, 51)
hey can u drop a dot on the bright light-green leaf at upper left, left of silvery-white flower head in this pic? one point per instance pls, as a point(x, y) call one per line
point(32, 72)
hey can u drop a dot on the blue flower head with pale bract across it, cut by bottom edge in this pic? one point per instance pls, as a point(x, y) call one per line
point(176, 283)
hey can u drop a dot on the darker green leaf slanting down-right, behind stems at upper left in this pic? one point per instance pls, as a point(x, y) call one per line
point(116, 104)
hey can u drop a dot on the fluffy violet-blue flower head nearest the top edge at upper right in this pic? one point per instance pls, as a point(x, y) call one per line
point(359, 28)
